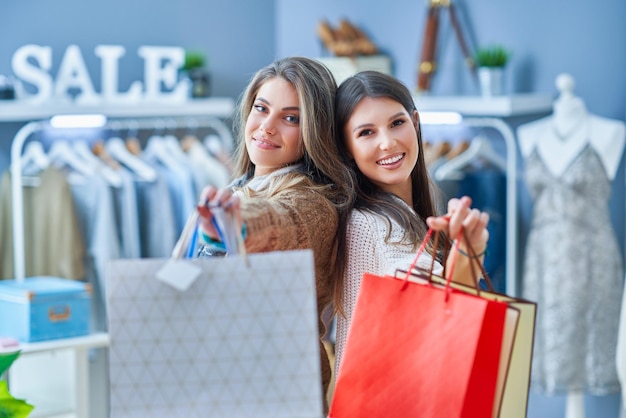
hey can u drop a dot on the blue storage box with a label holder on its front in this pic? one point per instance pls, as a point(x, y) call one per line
point(44, 308)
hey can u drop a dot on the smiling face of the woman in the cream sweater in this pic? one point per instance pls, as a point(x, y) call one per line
point(381, 137)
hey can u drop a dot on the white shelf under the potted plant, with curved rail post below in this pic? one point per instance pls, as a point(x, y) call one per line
point(494, 112)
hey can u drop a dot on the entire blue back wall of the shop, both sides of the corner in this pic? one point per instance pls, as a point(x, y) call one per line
point(584, 38)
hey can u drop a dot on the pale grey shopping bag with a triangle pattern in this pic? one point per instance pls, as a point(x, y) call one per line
point(241, 341)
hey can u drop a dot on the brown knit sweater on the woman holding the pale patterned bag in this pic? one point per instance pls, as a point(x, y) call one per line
point(297, 218)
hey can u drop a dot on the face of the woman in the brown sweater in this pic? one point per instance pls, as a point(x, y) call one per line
point(272, 130)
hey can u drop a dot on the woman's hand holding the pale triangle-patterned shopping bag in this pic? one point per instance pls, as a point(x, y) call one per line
point(213, 200)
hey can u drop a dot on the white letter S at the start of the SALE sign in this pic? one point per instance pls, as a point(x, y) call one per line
point(38, 76)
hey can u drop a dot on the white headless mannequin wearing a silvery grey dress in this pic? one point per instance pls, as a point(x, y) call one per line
point(572, 266)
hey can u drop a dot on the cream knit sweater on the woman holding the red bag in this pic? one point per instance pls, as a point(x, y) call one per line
point(368, 252)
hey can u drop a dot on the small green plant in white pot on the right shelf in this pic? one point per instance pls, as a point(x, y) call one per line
point(491, 61)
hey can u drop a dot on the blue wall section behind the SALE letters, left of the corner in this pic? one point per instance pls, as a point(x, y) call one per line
point(236, 39)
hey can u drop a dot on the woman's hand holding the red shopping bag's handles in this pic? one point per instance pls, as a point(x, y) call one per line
point(461, 216)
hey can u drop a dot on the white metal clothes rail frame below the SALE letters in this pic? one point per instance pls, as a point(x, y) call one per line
point(33, 127)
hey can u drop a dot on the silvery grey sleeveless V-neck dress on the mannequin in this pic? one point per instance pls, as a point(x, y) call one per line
point(573, 270)
